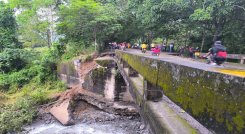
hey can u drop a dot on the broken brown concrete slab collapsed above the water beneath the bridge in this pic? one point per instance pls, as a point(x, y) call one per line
point(62, 110)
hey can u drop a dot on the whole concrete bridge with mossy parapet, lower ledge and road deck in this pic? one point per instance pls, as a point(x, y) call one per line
point(177, 95)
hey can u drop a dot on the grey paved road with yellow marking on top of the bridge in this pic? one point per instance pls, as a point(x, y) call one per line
point(227, 68)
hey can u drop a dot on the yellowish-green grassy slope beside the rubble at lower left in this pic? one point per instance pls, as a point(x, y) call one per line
point(18, 106)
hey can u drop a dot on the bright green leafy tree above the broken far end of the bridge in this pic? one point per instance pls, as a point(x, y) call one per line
point(88, 22)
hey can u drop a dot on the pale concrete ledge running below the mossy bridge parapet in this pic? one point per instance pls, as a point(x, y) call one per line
point(158, 115)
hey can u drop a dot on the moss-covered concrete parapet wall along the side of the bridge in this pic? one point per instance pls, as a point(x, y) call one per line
point(216, 100)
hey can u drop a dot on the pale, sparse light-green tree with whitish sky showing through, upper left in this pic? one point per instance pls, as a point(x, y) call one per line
point(37, 21)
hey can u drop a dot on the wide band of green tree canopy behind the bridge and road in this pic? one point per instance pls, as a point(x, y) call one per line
point(94, 22)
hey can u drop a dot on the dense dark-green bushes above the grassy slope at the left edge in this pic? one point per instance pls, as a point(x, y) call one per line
point(41, 68)
